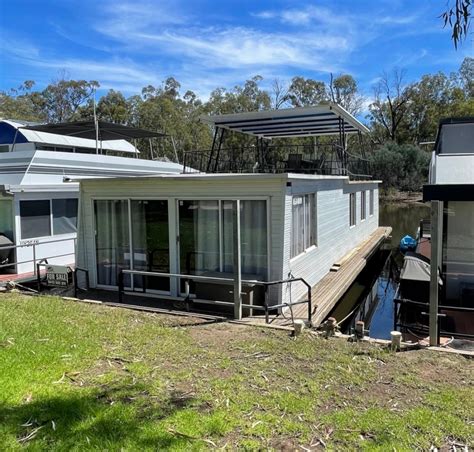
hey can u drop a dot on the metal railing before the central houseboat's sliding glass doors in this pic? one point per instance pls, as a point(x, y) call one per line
point(266, 308)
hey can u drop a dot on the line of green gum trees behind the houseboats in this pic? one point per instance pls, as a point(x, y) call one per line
point(400, 115)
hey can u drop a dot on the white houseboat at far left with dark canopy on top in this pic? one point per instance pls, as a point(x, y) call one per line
point(38, 206)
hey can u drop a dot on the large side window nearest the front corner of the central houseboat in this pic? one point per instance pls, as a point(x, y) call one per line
point(310, 241)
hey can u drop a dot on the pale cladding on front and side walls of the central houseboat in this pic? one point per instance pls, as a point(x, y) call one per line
point(334, 236)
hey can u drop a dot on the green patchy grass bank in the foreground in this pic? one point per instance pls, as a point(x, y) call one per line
point(76, 376)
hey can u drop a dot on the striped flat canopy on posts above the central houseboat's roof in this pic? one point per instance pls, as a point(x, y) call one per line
point(326, 119)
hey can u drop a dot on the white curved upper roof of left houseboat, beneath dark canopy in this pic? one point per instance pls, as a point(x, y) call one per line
point(46, 138)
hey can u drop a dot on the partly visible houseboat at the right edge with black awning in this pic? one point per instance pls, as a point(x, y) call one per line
point(439, 280)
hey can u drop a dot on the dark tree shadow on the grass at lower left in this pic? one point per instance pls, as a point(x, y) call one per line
point(109, 417)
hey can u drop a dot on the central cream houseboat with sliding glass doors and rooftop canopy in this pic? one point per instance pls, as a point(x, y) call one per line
point(242, 227)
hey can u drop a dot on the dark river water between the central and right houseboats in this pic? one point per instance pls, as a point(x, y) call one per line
point(370, 298)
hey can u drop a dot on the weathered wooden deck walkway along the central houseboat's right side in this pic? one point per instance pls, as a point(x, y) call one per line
point(335, 284)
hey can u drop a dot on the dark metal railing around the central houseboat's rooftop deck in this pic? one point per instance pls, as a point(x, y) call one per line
point(307, 159)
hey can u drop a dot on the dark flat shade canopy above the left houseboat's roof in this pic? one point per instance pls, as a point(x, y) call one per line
point(87, 129)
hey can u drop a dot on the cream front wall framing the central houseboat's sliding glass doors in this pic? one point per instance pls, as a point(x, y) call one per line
point(174, 189)
